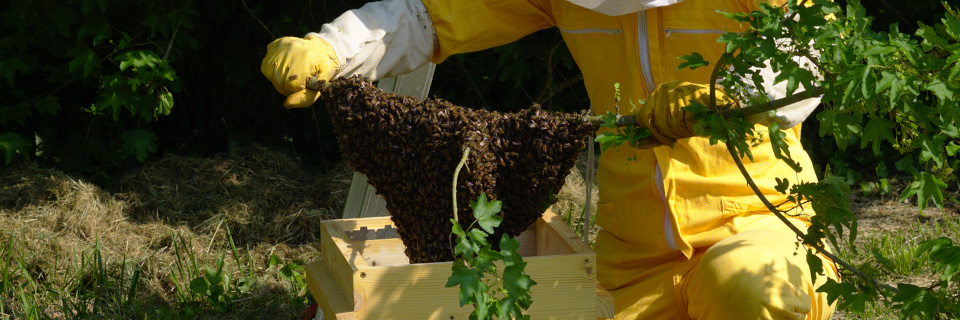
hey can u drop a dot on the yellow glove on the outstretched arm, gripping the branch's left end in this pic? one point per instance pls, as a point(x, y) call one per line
point(290, 61)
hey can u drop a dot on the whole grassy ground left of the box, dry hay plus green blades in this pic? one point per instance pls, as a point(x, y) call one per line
point(181, 238)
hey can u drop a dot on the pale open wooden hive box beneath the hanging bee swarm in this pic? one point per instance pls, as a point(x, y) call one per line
point(364, 274)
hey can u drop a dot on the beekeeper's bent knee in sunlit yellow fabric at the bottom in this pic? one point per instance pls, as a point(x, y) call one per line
point(756, 274)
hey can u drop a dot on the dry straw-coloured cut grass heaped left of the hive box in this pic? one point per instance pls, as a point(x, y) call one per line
point(269, 204)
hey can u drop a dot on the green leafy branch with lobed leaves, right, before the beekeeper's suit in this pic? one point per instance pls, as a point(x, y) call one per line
point(883, 88)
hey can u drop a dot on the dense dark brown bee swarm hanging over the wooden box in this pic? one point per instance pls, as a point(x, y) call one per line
point(409, 150)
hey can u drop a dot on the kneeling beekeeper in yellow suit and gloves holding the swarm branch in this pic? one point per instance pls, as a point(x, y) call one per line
point(683, 235)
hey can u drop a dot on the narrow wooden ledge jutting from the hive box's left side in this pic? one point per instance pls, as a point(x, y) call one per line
point(330, 297)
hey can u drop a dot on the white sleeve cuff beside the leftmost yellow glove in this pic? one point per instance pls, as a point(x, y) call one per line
point(381, 39)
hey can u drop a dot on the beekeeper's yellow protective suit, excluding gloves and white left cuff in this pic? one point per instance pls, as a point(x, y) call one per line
point(683, 235)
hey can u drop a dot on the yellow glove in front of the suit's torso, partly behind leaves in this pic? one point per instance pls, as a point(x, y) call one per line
point(662, 112)
